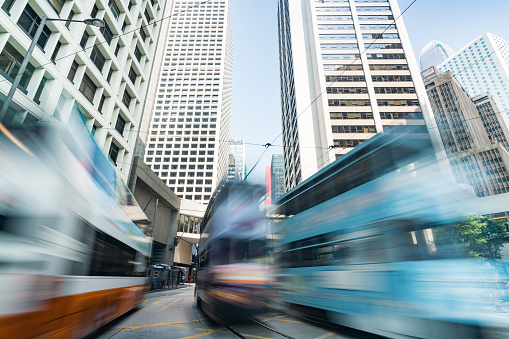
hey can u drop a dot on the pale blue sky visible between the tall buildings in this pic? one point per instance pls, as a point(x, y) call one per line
point(256, 111)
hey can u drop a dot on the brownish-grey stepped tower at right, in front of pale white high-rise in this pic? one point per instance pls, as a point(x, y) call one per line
point(473, 134)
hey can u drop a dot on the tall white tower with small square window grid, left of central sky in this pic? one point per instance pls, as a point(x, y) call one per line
point(189, 122)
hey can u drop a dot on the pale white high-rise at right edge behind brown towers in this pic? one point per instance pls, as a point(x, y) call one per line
point(483, 66)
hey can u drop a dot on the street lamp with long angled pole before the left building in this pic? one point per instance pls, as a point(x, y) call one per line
point(92, 22)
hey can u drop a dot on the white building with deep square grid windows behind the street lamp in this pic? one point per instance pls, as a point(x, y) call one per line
point(103, 73)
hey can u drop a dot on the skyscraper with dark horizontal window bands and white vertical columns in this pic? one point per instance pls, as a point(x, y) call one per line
point(347, 72)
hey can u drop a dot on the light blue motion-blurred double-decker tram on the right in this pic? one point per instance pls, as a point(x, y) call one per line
point(368, 244)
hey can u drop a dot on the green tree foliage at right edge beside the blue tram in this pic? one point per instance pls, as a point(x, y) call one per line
point(473, 236)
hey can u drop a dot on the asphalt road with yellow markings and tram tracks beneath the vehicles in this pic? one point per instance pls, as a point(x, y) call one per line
point(174, 314)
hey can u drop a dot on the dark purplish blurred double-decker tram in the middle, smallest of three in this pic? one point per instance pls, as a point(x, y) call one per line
point(232, 275)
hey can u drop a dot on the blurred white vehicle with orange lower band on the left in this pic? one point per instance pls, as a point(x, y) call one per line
point(70, 259)
